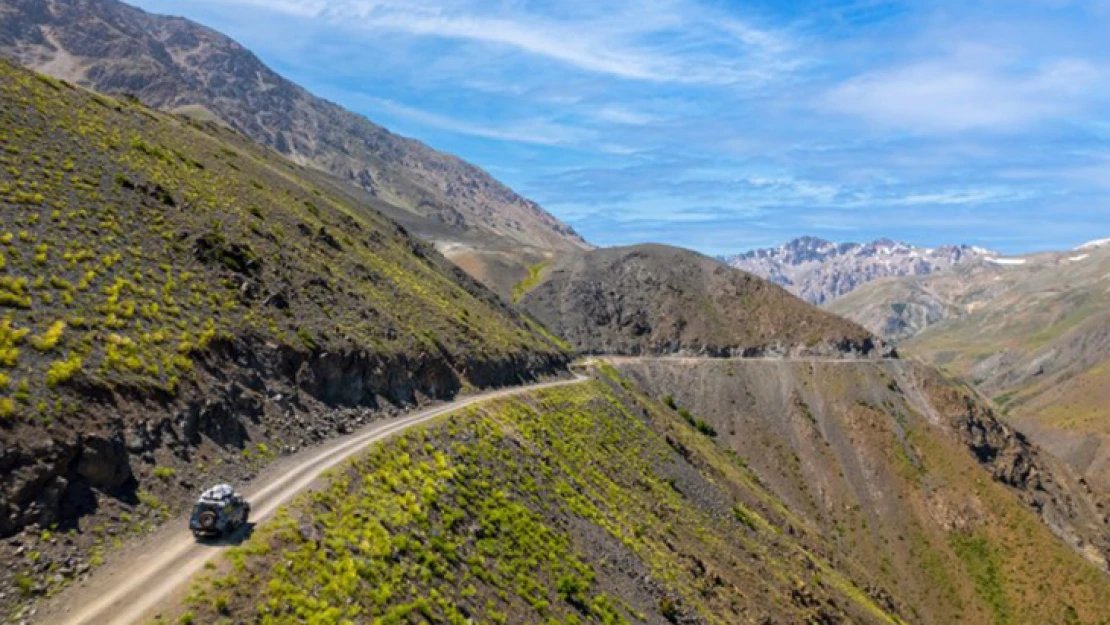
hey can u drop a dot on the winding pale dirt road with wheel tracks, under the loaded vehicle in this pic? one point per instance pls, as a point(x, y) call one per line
point(130, 589)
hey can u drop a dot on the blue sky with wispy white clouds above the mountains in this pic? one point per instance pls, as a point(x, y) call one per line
point(723, 126)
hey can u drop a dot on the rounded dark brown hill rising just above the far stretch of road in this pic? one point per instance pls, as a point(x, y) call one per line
point(661, 300)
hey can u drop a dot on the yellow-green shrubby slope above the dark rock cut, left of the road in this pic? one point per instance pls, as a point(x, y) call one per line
point(134, 240)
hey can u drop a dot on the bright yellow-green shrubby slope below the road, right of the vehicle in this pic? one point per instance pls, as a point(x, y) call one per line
point(509, 513)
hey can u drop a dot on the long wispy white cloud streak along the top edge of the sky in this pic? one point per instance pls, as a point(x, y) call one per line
point(623, 39)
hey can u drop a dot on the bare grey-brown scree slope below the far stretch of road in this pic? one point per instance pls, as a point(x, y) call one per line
point(911, 477)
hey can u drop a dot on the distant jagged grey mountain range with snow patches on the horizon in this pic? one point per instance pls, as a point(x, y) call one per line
point(821, 271)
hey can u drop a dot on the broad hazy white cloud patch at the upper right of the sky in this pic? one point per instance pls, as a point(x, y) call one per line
point(958, 94)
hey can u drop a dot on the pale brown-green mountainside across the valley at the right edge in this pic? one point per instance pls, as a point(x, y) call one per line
point(1032, 332)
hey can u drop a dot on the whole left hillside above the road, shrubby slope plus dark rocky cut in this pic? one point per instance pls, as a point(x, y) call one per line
point(178, 305)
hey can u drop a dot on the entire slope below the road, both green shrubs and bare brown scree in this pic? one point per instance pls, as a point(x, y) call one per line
point(669, 492)
